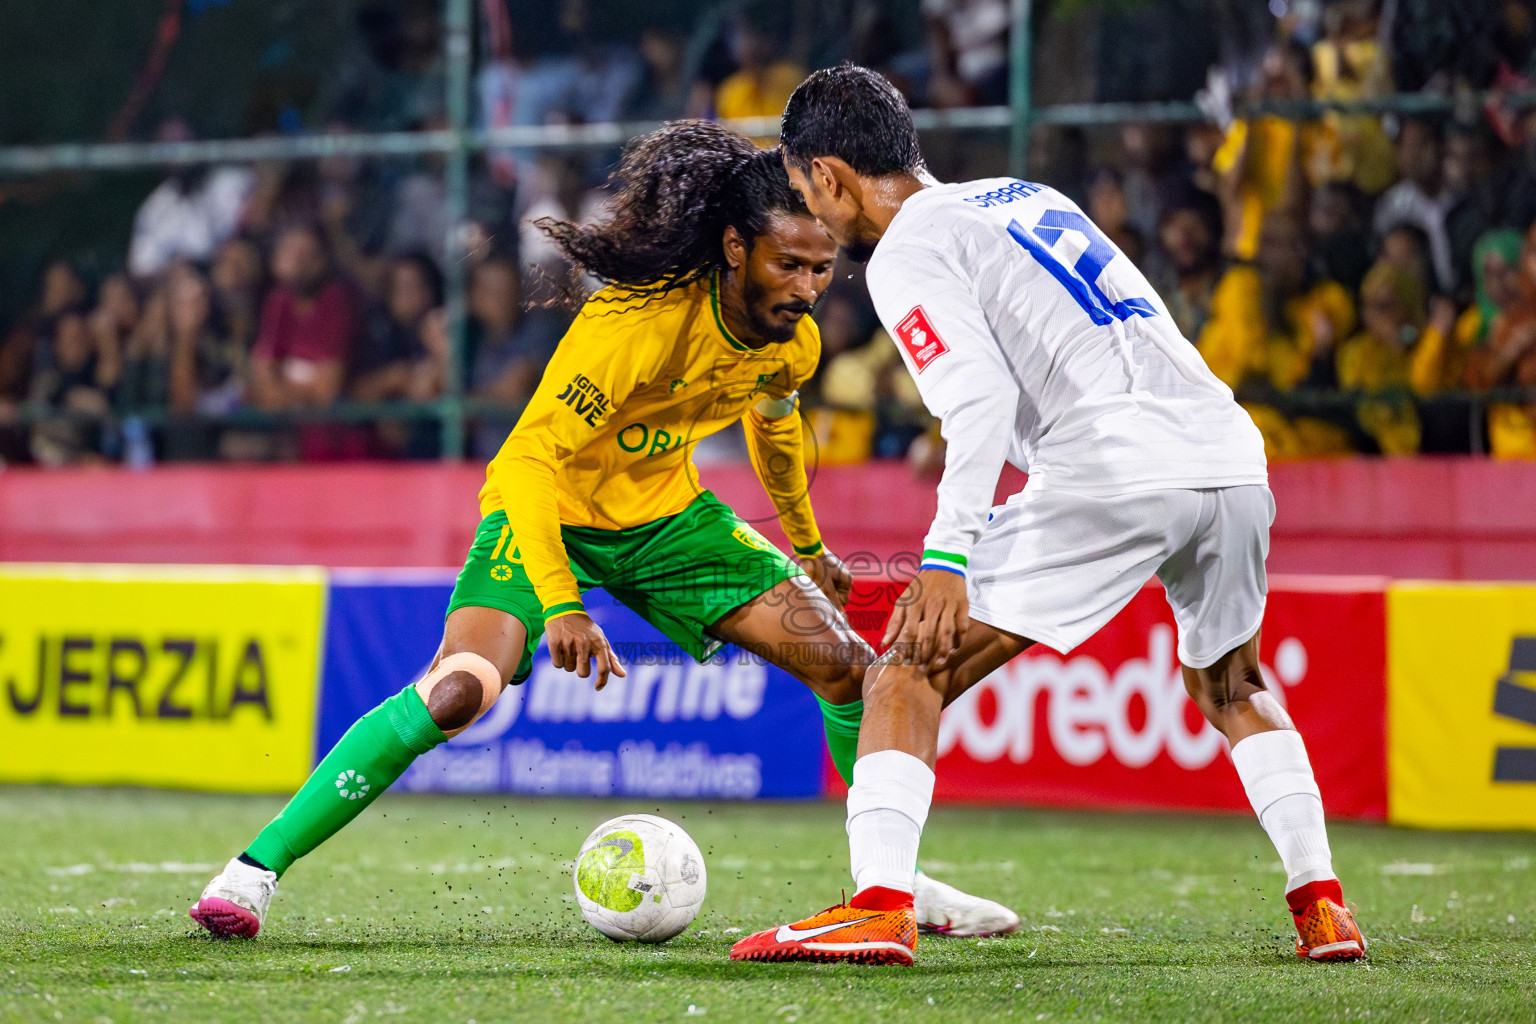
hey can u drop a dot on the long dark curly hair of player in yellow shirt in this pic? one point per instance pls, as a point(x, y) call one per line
point(678, 190)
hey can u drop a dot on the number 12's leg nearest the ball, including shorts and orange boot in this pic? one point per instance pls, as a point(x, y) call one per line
point(1051, 567)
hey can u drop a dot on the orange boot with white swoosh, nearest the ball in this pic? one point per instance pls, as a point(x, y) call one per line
point(881, 933)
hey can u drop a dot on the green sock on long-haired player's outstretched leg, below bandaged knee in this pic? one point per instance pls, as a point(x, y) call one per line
point(374, 753)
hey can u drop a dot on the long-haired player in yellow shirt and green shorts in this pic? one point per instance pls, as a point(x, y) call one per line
point(710, 266)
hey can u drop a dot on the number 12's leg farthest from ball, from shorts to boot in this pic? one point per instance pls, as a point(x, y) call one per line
point(1216, 586)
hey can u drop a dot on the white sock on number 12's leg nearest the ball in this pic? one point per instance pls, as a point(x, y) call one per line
point(887, 810)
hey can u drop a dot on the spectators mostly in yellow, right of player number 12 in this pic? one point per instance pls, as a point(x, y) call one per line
point(1386, 259)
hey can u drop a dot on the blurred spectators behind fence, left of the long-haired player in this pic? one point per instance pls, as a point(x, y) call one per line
point(297, 294)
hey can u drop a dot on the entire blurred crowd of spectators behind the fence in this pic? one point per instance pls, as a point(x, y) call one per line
point(1362, 282)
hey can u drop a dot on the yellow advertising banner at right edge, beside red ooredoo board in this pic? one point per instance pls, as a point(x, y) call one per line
point(1462, 705)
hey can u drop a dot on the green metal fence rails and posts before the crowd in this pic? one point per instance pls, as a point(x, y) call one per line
point(460, 140)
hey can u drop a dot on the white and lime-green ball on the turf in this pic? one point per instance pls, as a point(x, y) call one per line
point(640, 879)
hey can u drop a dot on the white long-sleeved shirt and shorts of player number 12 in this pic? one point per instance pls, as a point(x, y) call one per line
point(1034, 340)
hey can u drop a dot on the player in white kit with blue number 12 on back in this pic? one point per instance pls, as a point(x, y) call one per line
point(1036, 342)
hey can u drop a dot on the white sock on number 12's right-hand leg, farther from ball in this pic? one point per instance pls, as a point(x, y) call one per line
point(1279, 781)
